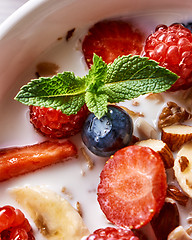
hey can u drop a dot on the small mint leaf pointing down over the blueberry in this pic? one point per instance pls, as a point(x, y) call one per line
point(97, 103)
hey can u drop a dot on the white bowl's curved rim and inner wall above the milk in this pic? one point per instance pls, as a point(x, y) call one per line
point(35, 26)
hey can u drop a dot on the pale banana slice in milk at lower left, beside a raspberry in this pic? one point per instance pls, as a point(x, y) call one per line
point(53, 215)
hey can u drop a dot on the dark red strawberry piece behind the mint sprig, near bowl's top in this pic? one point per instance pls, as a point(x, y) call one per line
point(110, 39)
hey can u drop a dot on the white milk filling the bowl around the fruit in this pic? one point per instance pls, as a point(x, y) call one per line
point(15, 129)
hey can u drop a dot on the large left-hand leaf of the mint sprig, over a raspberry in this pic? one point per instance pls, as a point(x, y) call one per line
point(64, 91)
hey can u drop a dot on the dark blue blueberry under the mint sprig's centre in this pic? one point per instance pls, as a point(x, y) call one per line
point(105, 136)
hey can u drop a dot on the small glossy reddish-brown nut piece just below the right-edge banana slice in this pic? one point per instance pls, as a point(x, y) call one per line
point(177, 195)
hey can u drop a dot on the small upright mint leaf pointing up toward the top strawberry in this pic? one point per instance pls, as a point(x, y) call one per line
point(97, 74)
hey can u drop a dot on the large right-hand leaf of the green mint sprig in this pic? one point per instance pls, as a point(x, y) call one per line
point(131, 76)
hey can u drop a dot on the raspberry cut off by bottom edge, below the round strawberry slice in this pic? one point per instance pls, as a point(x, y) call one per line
point(110, 233)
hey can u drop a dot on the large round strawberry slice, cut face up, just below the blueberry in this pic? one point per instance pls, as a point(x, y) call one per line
point(132, 186)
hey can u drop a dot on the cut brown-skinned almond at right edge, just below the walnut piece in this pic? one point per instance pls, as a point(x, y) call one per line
point(176, 135)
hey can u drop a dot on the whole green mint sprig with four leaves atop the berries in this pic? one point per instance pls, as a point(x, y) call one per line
point(126, 78)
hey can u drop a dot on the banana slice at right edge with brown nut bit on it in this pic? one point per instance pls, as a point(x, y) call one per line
point(183, 168)
